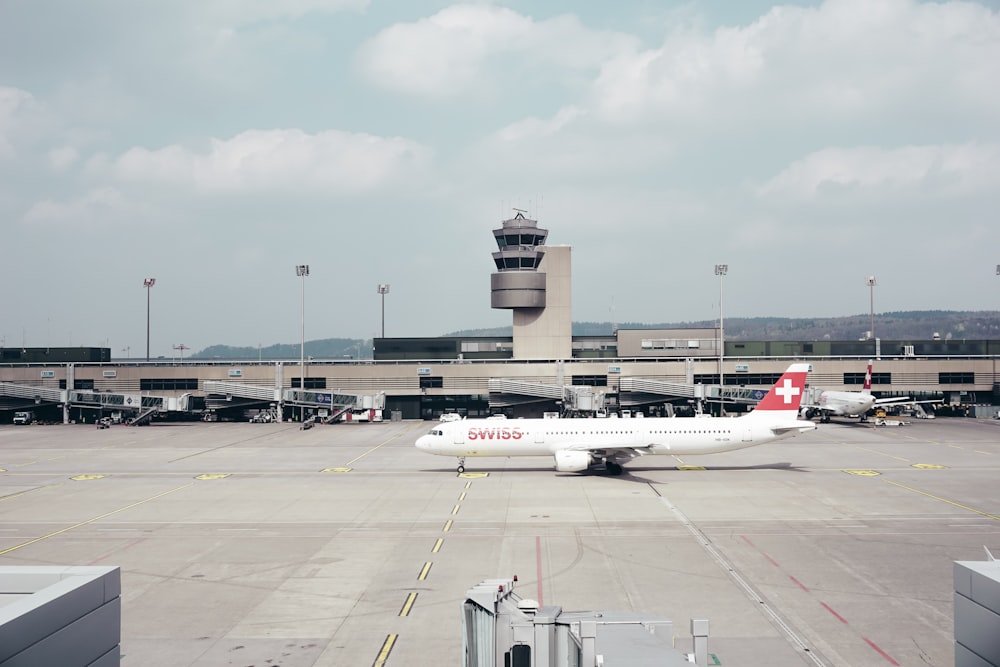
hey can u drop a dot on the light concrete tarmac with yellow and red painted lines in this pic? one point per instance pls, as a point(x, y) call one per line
point(263, 544)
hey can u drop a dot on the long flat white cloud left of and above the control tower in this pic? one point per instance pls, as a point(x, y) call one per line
point(280, 161)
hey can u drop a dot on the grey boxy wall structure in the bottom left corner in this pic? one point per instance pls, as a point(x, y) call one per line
point(66, 616)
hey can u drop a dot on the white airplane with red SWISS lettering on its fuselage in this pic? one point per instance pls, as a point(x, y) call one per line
point(579, 444)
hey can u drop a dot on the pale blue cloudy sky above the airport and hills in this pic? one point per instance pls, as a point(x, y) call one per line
point(215, 144)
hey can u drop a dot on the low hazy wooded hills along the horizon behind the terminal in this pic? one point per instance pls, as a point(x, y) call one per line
point(903, 325)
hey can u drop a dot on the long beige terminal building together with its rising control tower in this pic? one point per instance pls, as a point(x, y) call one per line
point(542, 368)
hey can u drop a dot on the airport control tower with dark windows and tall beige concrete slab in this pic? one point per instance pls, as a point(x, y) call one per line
point(533, 280)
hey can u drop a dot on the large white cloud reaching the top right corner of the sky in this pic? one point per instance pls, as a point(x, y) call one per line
point(841, 62)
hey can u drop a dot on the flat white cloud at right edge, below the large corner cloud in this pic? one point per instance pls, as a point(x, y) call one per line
point(948, 169)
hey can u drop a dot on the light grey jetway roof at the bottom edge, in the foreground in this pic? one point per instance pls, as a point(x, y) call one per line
point(501, 628)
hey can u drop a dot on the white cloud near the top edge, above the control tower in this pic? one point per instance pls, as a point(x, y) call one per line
point(481, 48)
